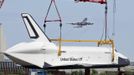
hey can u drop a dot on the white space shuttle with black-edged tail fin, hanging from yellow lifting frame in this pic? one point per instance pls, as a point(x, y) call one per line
point(42, 53)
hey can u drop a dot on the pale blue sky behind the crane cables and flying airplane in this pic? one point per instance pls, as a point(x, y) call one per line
point(15, 31)
